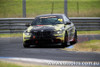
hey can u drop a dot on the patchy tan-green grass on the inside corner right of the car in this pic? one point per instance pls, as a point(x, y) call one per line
point(92, 45)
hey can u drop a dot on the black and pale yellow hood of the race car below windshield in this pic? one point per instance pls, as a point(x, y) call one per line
point(45, 27)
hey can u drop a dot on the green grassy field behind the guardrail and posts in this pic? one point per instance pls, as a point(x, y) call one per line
point(13, 8)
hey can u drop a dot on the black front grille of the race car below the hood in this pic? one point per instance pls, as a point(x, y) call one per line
point(44, 34)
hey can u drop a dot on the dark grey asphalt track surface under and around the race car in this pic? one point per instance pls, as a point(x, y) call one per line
point(12, 47)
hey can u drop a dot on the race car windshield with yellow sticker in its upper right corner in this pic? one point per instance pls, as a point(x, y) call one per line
point(47, 21)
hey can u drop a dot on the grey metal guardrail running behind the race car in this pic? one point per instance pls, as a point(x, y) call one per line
point(17, 25)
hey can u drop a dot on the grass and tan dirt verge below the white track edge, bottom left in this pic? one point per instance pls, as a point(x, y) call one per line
point(4, 63)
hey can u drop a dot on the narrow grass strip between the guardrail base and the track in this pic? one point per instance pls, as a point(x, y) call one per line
point(78, 33)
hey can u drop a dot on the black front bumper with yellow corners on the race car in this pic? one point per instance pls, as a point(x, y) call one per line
point(32, 39)
